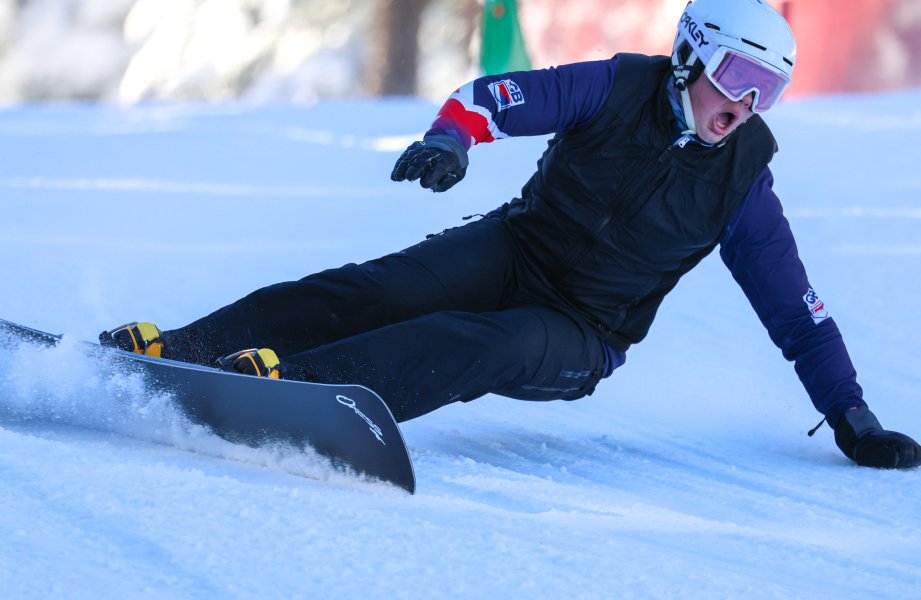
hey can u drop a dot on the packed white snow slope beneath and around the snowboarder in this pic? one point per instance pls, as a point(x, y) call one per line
point(687, 474)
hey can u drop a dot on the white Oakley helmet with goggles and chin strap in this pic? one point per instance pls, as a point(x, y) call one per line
point(742, 46)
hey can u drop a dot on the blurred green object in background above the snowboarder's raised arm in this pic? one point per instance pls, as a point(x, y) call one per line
point(503, 46)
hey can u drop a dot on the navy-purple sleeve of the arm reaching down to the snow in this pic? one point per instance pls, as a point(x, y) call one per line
point(760, 251)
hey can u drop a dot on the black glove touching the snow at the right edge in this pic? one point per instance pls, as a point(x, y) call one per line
point(863, 440)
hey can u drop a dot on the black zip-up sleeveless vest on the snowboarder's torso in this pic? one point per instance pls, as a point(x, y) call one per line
point(616, 214)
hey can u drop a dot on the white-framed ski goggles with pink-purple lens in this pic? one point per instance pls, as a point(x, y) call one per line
point(736, 75)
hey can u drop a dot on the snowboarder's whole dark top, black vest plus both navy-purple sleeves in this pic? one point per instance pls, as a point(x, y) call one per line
point(613, 220)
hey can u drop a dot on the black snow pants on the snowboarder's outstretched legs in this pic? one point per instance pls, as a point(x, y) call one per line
point(455, 317)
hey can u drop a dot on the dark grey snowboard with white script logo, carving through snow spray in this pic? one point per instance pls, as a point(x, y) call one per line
point(348, 424)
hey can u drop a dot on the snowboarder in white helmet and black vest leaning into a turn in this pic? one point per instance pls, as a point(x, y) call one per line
point(655, 162)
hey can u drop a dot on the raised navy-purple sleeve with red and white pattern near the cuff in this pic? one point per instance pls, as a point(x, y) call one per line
point(525, 102)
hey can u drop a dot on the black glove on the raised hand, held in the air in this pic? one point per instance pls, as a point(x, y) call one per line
point(438, 161)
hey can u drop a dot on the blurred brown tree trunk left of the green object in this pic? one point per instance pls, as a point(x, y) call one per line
point(393, 52)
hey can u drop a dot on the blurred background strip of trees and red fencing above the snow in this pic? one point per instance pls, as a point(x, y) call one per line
point(127, 51)
